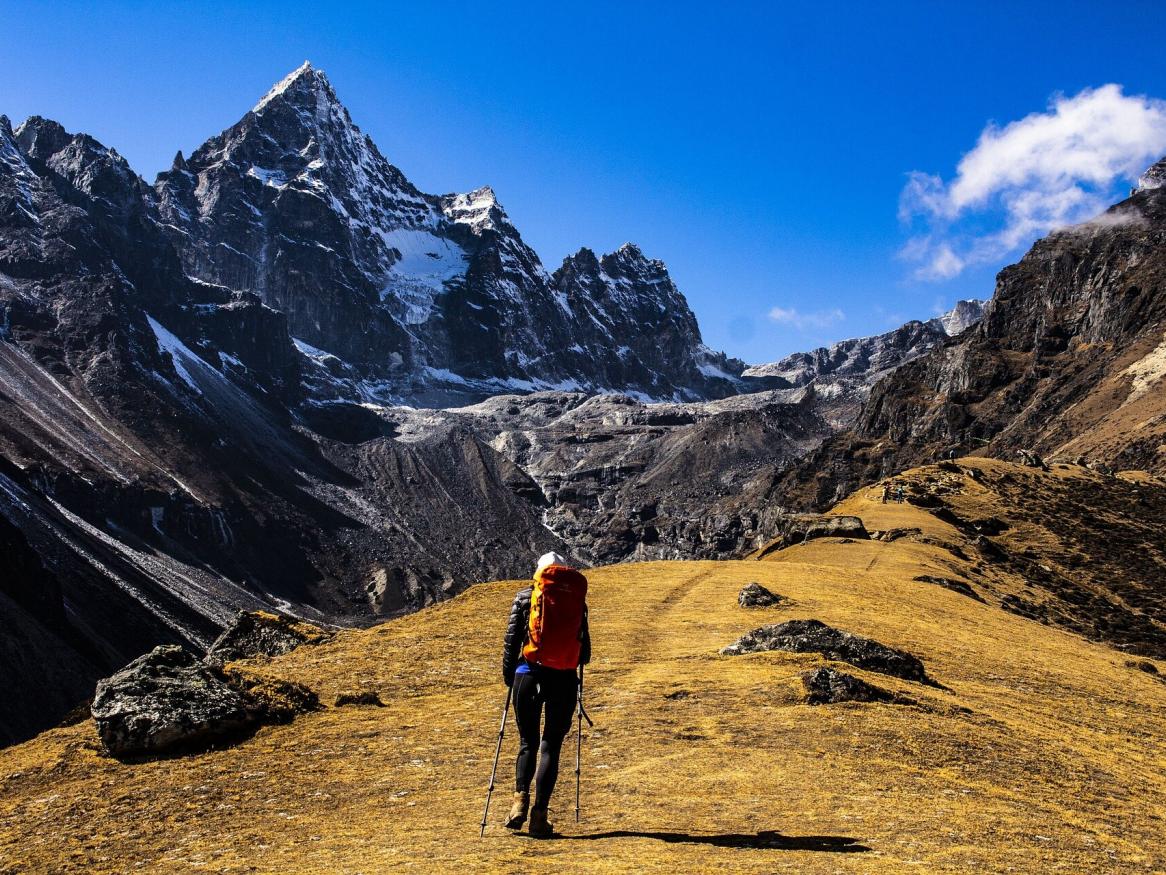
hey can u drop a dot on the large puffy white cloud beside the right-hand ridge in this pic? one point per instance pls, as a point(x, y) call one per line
point(1046, 171)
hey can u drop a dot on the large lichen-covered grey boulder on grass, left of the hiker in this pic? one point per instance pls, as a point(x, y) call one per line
point(167, 701)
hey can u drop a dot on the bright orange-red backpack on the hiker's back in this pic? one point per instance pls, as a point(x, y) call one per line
point(558, 601)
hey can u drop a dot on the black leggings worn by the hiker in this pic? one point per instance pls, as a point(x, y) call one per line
point(556, 690)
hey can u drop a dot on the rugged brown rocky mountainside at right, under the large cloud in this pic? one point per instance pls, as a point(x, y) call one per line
point(1067, 363)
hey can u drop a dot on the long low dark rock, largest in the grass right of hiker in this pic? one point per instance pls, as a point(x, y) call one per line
point(813, 636)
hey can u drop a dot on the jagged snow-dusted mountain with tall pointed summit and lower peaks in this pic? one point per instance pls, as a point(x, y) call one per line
point(426, 298)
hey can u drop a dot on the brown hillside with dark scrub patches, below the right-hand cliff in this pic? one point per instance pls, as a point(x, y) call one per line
point(1067, 547)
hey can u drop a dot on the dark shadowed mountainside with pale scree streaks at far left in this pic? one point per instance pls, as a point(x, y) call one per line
point(158, 467)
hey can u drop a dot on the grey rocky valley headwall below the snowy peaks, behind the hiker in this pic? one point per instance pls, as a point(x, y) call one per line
point(621, 480)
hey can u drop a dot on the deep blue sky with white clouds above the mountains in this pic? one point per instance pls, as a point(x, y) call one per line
point(798, 169)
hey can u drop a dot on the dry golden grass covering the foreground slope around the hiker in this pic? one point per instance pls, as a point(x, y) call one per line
point(1046, 754)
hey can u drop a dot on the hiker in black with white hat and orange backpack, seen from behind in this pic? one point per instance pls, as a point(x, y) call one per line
point(547, 640)
